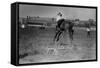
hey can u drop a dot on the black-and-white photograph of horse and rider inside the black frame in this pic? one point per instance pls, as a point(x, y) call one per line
point(56, 33)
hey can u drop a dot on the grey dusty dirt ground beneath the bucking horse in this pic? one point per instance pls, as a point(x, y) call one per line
point(36, 45)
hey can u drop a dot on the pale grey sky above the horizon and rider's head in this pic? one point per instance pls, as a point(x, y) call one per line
point(51, 11)
